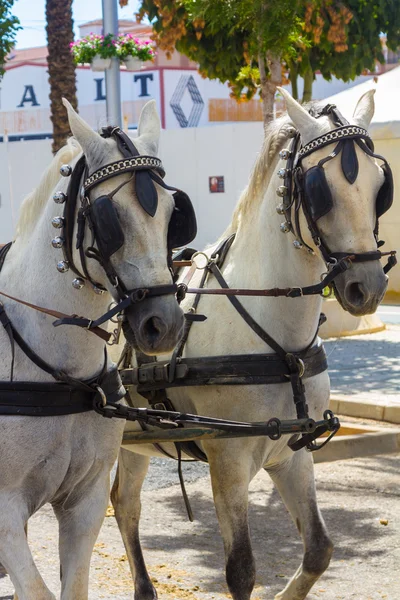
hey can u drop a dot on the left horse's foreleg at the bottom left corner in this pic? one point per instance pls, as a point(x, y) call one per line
point(17, 560)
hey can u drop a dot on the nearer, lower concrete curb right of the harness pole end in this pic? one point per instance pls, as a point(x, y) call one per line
point(368, 441)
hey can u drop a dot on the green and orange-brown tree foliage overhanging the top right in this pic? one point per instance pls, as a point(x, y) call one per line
point(245, 42)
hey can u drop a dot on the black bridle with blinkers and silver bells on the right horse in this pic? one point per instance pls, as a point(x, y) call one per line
point(309, 190)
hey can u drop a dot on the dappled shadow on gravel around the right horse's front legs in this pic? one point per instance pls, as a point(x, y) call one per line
point(276, 544)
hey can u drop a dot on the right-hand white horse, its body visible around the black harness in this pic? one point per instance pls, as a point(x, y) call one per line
point(262, 257)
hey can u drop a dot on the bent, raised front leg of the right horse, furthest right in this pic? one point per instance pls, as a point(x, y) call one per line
point(295, 483)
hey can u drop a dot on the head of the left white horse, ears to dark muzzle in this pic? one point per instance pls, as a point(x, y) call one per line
point(139, 256)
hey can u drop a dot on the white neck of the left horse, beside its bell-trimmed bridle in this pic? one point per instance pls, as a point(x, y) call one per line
point(30, 274)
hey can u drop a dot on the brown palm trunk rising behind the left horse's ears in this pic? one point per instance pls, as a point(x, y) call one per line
point(61, 67)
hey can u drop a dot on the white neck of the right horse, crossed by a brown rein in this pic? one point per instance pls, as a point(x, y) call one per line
point(264, 257)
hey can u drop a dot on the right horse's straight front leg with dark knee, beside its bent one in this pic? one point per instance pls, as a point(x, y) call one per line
point(230, 484)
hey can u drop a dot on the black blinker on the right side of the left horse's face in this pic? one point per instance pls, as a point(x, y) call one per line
point(183, 225)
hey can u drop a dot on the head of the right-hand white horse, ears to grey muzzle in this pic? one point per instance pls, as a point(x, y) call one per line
point(346, 189)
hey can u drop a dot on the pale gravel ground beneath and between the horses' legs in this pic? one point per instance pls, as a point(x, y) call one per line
point(186, 559)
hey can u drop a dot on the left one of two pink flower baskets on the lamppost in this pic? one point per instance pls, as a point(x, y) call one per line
point(96, 50)
